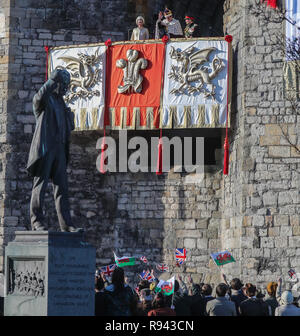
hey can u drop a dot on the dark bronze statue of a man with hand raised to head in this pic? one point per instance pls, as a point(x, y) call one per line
point(49, 150)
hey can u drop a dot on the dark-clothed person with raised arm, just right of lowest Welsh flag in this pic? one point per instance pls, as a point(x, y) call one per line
point(181, 300)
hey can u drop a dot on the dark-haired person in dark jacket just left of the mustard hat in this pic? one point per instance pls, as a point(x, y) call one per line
point(253, 306)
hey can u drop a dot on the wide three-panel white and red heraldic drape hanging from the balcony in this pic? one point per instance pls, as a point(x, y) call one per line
point(142, 85)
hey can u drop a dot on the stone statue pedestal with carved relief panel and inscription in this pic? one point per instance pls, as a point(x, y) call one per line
point(49, 274)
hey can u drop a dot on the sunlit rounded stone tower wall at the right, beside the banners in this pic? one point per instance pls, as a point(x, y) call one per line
point(261, 204)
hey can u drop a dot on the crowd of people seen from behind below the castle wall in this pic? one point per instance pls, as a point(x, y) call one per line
point(117, 298)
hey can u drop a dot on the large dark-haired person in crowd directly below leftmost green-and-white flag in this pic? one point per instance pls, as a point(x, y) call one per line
point(122, 300)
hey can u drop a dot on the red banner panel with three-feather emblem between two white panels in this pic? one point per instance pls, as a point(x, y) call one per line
point(134, 85)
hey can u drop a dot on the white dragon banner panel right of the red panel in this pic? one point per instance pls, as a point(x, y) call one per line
point(195, 84)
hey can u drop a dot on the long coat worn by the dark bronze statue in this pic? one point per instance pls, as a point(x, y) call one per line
point(48, 109)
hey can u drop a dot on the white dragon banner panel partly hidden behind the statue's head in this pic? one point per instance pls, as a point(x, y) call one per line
point(86, 94)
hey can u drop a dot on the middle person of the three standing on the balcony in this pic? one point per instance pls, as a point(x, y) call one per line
point(169, 26)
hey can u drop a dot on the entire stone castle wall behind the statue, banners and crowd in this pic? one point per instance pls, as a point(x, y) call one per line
point(253, 212)
